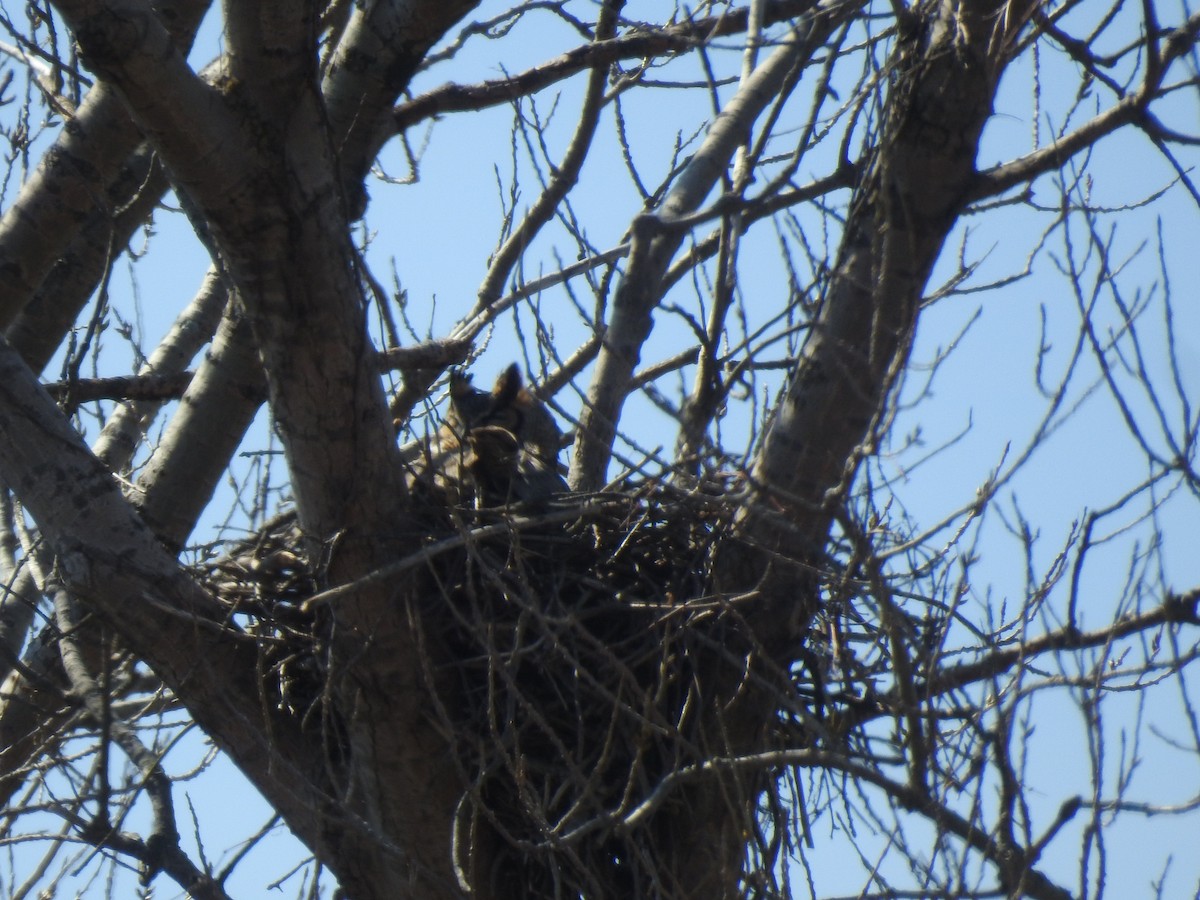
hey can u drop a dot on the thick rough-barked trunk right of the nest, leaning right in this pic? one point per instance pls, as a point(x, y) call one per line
point(904, 206)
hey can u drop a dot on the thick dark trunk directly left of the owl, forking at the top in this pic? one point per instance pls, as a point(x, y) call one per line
point(257, 164)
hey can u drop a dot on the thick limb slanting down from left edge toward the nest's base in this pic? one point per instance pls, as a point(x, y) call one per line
point(111, 560)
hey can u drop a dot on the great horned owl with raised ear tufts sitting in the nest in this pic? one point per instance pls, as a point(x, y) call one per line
point(497, 448)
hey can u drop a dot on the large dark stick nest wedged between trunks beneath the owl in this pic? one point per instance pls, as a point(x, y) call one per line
point(569, 643)
